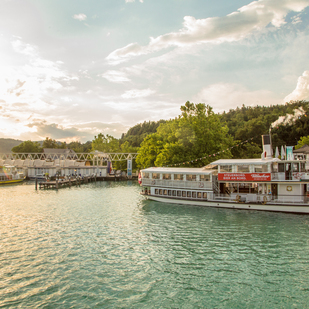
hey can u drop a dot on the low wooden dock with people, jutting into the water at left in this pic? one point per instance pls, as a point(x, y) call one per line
point(61, 183)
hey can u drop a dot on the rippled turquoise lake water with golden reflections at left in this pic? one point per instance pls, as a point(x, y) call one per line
point(102, 246)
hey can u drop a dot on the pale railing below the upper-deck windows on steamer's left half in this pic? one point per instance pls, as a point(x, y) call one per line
point(198, 185)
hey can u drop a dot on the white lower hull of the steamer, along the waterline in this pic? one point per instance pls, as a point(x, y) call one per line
point(301, 209)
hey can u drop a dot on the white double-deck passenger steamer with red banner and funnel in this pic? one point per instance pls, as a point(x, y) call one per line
point(267, 184)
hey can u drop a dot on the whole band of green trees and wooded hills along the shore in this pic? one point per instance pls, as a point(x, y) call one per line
point(198, 135)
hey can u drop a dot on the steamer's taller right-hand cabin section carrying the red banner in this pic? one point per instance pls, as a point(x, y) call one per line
point(256, 178)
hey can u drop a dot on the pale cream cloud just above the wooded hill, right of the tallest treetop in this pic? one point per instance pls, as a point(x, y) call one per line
point(223, 97)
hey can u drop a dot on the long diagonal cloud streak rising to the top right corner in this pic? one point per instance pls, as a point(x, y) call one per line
point(230, 28)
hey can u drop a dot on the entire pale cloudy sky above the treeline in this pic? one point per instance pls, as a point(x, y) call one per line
point(72, 69)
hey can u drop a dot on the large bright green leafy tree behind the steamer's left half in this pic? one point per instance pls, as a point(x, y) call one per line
point(196, 133)
